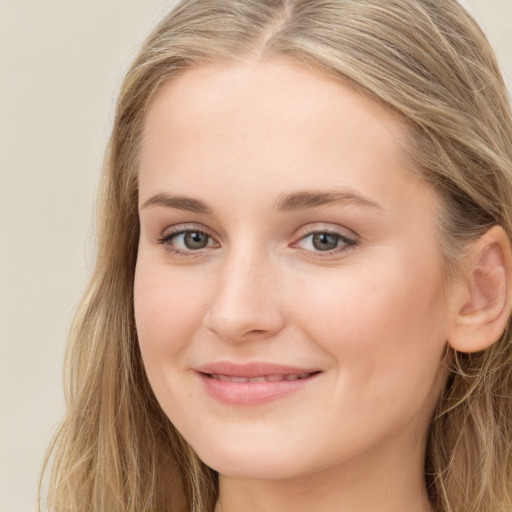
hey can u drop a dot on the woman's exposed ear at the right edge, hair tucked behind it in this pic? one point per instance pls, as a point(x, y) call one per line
point(484, 304)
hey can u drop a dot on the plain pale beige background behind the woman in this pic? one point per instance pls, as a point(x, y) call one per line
point(61, 63)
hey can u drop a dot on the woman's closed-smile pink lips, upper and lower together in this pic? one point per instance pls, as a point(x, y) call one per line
point(254, 383)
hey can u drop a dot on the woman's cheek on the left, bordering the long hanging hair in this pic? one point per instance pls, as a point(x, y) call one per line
point(169, 309)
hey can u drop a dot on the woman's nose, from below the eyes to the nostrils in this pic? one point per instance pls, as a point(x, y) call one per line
point(246, 302)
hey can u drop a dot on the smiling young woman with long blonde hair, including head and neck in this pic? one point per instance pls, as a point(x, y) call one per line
point(302, 292)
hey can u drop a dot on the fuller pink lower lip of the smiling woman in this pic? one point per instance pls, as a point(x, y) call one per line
point(252, 393)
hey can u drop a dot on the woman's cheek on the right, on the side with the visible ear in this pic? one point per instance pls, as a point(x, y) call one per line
point(385, 328)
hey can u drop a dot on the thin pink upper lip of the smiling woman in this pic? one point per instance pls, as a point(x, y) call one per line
point(251, 370)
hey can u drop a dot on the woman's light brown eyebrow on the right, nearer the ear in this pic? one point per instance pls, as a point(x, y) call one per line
point(305, 200)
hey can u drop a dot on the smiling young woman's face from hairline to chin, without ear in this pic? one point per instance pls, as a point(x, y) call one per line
point(288, 292)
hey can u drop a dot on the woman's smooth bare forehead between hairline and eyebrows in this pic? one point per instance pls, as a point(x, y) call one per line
point(266, 126)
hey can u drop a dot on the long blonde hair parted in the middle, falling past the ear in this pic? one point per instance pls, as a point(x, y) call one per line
point(425, 60)
